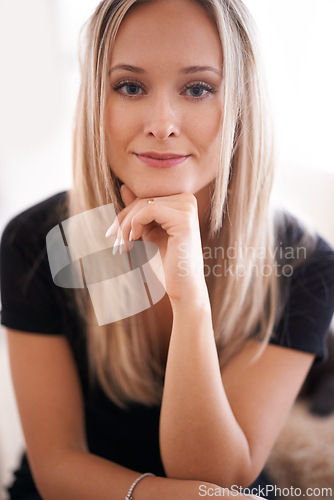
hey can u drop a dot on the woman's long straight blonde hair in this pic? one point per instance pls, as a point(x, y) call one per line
point(122, 358)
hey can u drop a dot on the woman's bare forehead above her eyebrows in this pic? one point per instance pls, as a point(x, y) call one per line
point(163, 30)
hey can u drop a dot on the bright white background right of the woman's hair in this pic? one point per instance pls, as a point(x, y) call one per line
point(297, 43)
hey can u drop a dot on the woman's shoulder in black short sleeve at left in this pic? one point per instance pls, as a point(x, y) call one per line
point(30, 300)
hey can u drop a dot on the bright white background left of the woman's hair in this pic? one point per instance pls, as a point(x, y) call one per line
point(38, 87)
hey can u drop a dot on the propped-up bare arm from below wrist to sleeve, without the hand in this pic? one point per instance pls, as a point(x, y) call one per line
point(221, 426)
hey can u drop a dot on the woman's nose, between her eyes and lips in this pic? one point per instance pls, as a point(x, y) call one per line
point(162, 119)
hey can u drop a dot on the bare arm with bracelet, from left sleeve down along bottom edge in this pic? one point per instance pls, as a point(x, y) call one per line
point(50, 404)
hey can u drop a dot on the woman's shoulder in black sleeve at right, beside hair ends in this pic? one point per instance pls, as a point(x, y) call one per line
point(306, 287)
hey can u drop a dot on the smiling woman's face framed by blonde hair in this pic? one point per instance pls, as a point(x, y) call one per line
point(164, 108)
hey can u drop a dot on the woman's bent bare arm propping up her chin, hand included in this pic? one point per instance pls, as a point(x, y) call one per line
point(214, 426)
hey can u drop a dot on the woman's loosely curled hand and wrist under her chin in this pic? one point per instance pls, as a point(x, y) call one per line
point(171, 222)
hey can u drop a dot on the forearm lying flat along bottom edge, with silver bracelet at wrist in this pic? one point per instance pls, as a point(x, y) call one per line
point(82, 476)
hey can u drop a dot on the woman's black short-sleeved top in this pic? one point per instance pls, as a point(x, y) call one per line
point(31, 302)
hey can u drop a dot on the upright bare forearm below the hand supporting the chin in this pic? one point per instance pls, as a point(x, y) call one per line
point(199, 435)
